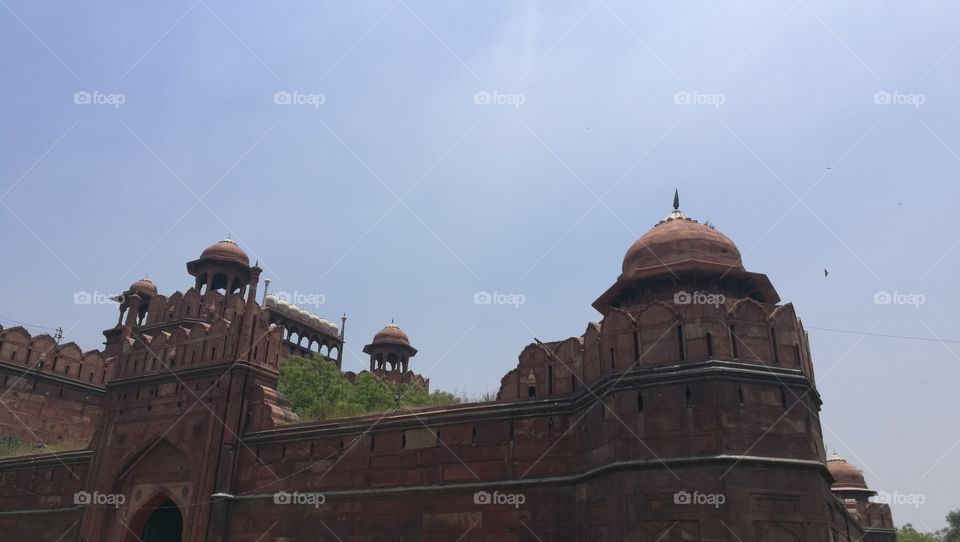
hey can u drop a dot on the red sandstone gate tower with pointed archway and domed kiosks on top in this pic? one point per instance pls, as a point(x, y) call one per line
point(189, 373)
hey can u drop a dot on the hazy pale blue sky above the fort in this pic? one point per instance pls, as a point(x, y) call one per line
point(434, 150)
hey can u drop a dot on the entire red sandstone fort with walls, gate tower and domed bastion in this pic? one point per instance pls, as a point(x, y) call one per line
point(688, 412)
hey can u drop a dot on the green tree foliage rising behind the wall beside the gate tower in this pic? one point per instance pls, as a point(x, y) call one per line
point(316, 389)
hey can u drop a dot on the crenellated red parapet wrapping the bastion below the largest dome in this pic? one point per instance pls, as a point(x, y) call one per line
point(661, 333)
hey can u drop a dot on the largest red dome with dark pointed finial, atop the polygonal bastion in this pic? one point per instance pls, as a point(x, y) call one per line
point(679, 238)
